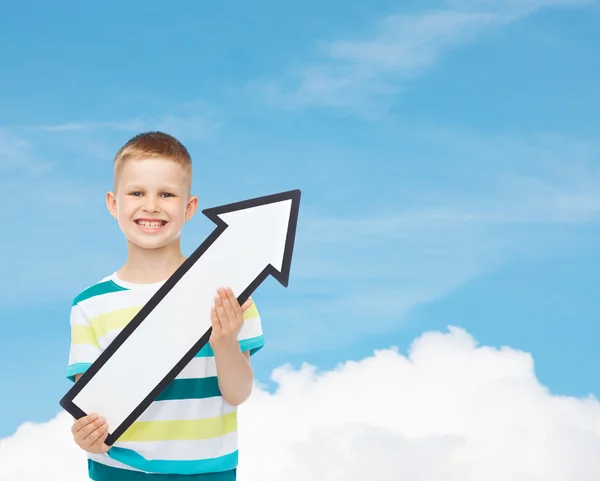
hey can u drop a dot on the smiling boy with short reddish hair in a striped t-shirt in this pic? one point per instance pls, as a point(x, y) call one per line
point(190, 431)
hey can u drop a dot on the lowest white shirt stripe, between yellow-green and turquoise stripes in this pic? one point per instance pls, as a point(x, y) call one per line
point(184, 450)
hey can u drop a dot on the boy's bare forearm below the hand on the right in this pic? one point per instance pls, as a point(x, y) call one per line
point(234, 373)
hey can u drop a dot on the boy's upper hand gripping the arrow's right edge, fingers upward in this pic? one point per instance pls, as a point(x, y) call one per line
point(227, 317)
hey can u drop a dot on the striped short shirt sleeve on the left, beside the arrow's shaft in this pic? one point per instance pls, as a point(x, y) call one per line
point(84, 347)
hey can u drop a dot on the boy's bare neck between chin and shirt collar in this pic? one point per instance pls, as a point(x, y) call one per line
point(146, 266)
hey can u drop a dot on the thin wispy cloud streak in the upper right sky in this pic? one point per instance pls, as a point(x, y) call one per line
point(358, 74)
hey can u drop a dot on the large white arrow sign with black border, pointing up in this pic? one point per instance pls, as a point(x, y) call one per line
point(253, 239)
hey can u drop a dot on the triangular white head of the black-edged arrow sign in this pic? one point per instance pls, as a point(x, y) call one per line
point(266, 226)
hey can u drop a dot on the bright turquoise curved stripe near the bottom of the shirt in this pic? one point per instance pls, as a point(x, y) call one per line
point(211, 465)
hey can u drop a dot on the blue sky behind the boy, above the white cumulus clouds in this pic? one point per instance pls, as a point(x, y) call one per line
point(447, 152)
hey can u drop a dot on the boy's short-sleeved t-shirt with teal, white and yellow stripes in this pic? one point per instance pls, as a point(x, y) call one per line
point(189, 429)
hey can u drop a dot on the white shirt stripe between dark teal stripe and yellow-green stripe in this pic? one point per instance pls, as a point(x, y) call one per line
point(176, 409)
